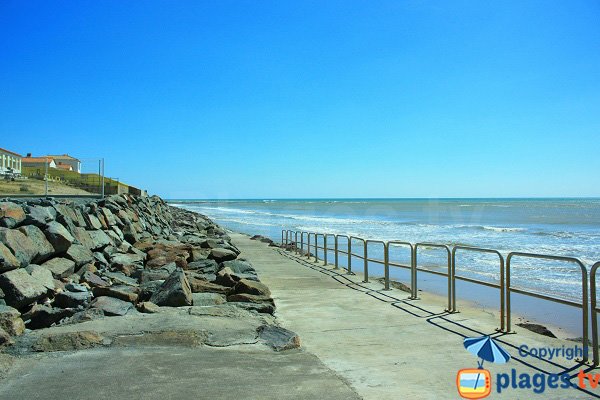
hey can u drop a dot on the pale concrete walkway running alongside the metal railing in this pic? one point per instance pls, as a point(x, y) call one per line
point(384, 345)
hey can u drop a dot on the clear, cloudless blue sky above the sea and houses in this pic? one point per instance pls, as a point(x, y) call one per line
point(271, 99)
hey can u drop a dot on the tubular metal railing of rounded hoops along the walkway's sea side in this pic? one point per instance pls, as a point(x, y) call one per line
point(504, 284)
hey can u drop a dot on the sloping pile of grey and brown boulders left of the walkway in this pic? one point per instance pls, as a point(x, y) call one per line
point(64, 262)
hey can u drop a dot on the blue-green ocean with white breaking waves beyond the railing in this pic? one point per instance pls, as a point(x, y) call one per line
point(564, 227)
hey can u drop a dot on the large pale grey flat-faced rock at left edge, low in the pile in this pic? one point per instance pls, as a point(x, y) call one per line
point(20, 288)
